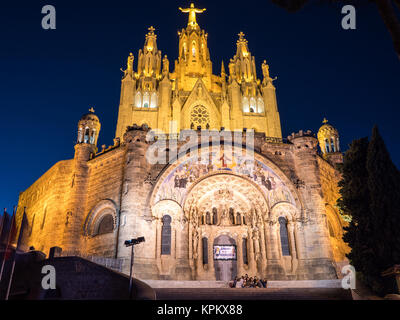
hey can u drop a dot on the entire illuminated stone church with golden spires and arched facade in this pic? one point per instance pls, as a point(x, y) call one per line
point(270, 212)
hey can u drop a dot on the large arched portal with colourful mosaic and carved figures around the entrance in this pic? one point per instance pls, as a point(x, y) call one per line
point(233, 195)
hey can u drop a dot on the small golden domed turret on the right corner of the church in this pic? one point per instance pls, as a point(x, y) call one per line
point(328, 138)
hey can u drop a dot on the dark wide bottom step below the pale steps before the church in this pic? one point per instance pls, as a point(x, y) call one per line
point(253, 294)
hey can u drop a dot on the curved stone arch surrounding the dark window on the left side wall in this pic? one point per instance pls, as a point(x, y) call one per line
point(102, 209)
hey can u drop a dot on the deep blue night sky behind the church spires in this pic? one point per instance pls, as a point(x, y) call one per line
point(48, 79)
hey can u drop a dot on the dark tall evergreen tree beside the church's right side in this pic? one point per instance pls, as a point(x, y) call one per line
point(370, 194)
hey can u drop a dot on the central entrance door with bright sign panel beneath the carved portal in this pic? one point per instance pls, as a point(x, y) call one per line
point(225, 254)
